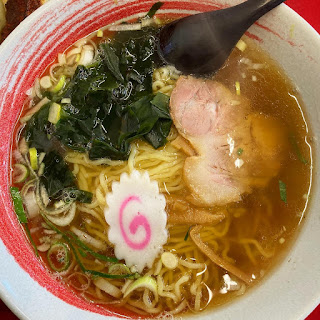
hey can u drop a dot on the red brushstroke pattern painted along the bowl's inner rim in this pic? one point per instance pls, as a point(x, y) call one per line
point(45, 36)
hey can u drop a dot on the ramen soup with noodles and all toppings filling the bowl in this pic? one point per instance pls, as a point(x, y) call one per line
point(155, 191)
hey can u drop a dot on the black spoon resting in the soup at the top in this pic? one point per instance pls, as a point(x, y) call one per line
point(201, 43)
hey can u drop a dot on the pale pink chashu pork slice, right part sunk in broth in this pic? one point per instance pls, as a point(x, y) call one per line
point(236, 149)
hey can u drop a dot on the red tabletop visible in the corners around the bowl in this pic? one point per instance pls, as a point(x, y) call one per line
point(310, 11)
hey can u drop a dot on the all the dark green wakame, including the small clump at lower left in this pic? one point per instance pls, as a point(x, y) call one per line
point(111, 105)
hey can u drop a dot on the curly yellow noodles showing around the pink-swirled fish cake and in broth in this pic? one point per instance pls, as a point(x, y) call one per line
point(195, 271)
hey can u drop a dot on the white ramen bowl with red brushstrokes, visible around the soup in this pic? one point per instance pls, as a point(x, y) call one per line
point(292, 289)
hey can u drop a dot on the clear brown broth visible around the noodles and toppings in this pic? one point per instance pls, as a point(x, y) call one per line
point(262, 216)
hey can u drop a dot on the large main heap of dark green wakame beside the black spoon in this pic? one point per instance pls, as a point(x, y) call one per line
point(112, 103)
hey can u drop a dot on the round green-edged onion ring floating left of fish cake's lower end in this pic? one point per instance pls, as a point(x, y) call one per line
point(59, 257)
